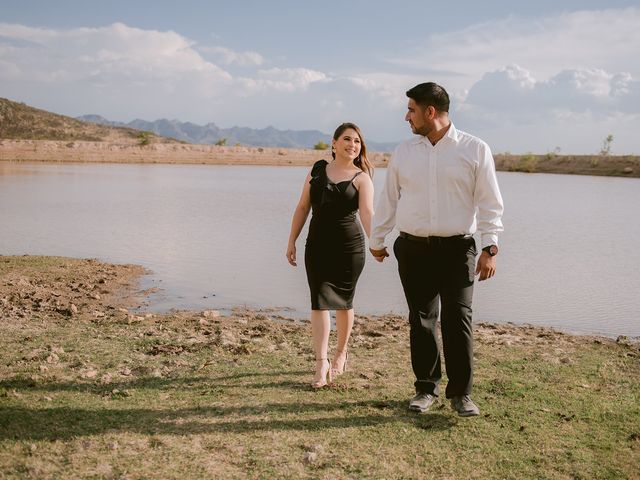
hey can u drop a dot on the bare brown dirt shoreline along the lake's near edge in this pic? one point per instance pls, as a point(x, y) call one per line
point(99, 291)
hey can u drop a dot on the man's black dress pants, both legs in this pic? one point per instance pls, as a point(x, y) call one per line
point(437, 273)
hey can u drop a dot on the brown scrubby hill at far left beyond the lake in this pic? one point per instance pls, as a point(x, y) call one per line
point(19, 121)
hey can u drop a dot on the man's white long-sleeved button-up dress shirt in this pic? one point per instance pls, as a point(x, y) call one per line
point(442, 190)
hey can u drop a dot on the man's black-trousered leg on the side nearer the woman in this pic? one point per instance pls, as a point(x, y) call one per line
point(419, 284)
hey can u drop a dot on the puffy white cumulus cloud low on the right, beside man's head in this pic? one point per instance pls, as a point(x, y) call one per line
point(572, 110)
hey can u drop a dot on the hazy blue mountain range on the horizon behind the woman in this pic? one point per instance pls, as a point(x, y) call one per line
point(211, 134)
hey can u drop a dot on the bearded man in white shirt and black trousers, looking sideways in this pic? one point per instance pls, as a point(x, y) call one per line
point(440, 189)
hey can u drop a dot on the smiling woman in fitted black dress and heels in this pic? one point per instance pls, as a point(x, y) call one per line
point(334, 252)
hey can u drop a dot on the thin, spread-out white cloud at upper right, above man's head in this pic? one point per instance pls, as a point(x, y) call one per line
point(604, 39)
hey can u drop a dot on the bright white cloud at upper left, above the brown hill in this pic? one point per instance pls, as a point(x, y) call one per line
point(115, 53)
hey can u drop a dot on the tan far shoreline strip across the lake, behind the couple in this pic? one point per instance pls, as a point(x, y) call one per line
point(53, 151)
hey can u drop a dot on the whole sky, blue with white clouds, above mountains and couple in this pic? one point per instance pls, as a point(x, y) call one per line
point(545, 76)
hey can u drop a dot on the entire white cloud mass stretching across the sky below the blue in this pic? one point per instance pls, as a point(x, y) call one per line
point(520, 85)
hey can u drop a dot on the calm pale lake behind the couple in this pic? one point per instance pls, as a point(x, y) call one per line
point(215, 238)
